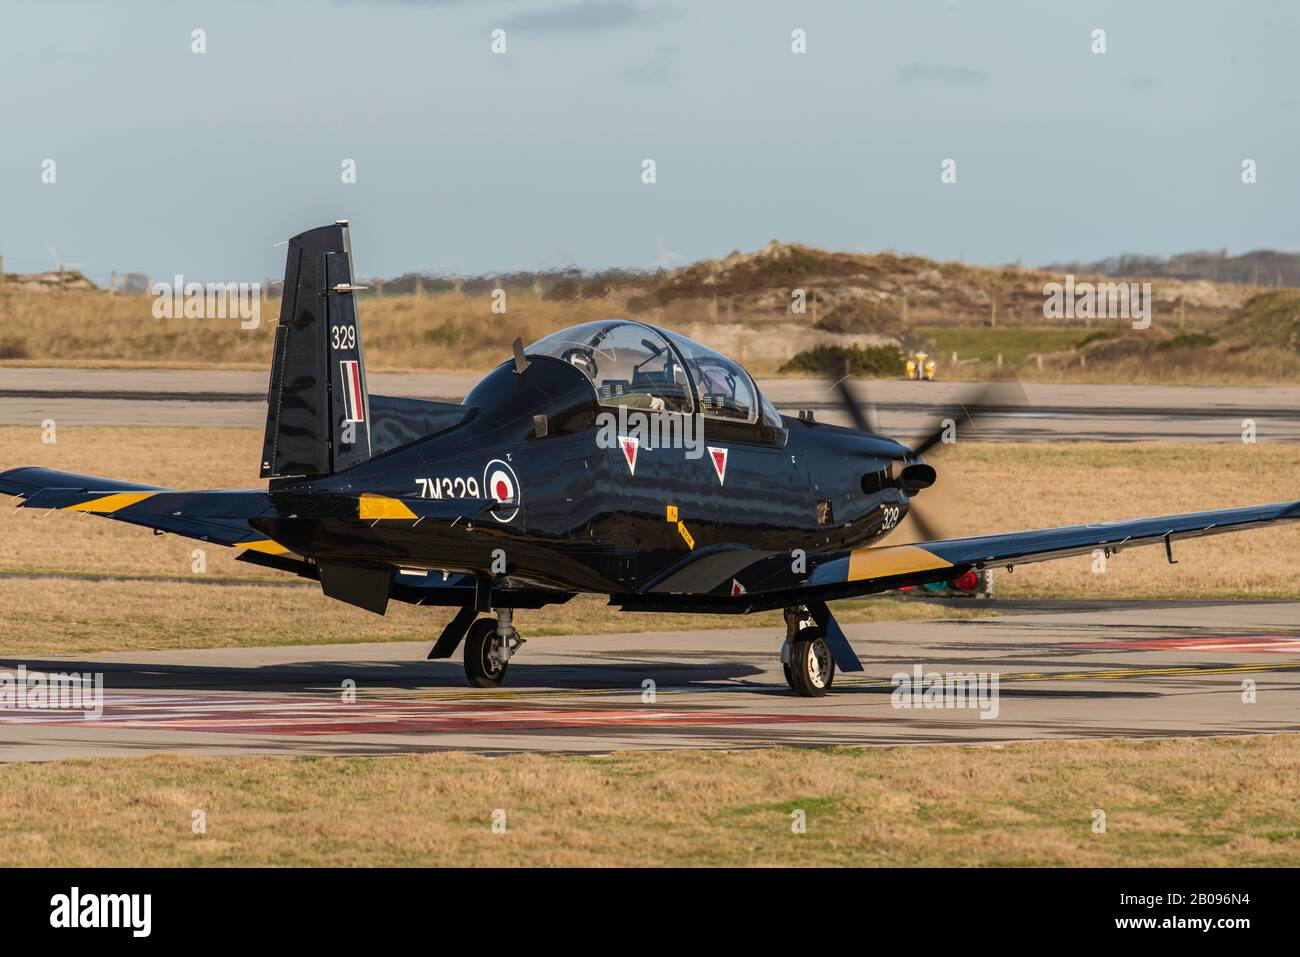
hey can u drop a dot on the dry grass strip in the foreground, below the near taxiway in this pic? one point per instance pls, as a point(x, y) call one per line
point(1013, 806)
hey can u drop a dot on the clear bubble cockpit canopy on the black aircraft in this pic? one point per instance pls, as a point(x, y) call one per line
point(639, 366)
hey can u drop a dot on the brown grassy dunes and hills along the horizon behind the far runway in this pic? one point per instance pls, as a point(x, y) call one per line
point(786, 308)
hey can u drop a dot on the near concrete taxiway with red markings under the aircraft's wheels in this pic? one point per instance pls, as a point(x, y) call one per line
point(1129, 670)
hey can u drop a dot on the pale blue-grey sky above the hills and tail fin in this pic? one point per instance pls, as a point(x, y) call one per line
point(172, 162)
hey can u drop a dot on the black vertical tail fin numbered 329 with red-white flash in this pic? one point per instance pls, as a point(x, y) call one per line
point(318, 408)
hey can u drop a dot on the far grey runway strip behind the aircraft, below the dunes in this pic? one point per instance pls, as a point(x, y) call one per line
point(905, 410)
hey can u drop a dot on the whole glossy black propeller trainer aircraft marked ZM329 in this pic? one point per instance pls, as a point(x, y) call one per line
point(610, 458)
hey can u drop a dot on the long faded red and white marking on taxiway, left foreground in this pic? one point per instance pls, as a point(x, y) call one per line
point(271, 714)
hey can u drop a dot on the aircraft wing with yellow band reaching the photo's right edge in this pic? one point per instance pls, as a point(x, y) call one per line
point(738, 582)
